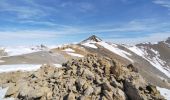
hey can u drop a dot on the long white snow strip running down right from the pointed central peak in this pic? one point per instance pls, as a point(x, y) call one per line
point(116, 50)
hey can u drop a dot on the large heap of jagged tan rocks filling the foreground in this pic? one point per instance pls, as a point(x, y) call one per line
point(88, 78)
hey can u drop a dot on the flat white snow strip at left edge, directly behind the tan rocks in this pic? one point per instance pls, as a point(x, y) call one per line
point(19, 67)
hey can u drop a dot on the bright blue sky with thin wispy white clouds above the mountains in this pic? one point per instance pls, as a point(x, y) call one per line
point(29, 22)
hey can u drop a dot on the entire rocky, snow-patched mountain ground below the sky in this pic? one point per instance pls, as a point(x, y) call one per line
point(92, 69)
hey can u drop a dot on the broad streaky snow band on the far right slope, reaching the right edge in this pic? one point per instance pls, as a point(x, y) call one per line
point(155, 61)
